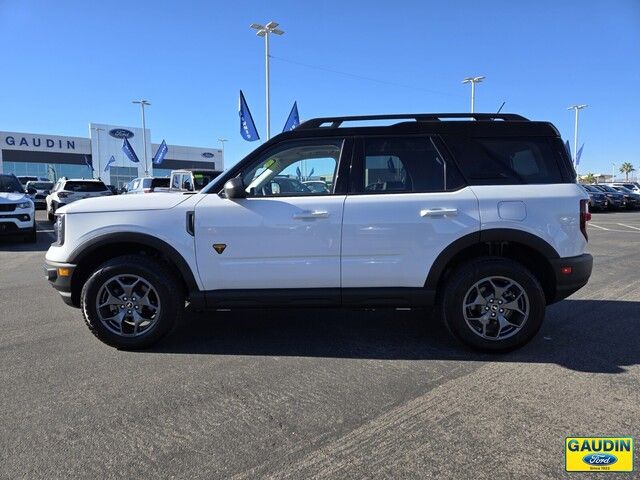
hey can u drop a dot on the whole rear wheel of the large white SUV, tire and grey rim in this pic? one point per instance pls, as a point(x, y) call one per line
point(493, 304)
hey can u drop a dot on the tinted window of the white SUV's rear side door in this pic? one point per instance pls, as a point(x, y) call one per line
point(404, 165)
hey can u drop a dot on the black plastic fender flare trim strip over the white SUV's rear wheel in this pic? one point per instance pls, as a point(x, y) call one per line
point(492, 235)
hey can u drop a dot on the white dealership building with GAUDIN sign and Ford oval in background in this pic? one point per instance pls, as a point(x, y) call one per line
point(54, 156)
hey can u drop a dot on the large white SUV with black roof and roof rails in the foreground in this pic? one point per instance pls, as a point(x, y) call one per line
point(481, 218)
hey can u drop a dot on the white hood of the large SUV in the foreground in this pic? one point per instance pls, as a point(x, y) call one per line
point(119, 203)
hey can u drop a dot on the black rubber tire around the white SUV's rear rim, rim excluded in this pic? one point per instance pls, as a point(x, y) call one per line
point(461, 280)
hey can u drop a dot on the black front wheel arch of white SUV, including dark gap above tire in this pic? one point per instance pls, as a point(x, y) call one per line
point(98, 250)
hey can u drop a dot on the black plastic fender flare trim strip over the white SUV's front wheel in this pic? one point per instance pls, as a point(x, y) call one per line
point(86, 249)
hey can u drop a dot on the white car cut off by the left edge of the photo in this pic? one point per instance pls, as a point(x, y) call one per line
point(17, 212)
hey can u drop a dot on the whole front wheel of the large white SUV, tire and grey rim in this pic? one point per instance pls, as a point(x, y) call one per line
point(131, 302)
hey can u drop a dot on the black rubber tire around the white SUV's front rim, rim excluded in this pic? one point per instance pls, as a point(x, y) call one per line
point(169, 293)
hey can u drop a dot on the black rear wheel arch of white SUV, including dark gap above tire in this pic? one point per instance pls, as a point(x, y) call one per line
point(531, 251)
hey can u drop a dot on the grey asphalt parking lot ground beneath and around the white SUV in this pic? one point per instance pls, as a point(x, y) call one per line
point(315, 393)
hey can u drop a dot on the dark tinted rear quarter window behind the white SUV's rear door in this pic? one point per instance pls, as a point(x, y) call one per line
point(507, 160)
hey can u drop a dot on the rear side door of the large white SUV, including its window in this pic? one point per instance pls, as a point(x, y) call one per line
point(406, 204)
